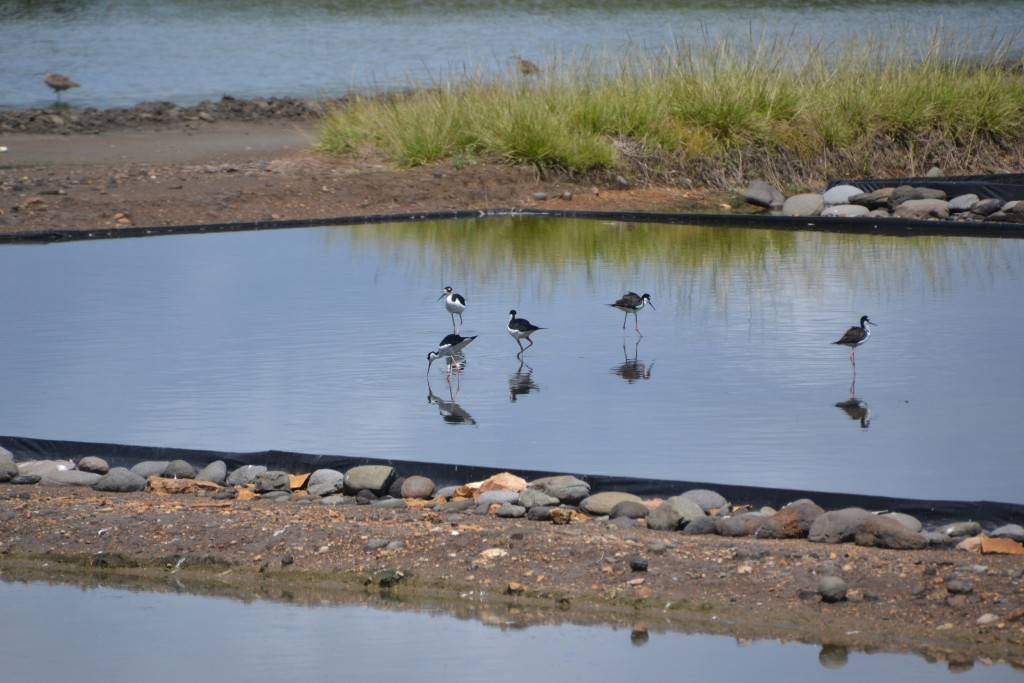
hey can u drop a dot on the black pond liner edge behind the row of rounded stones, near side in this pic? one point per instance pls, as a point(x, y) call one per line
point(931, 514)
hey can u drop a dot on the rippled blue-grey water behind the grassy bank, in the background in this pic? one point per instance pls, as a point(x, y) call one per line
point(190, 51)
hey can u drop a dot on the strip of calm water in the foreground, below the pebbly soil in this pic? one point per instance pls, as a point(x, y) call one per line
point(60, 633)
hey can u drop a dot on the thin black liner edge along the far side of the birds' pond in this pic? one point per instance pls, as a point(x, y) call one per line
point(892, 227)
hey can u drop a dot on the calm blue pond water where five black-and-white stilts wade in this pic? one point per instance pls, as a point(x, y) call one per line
point(316, 339)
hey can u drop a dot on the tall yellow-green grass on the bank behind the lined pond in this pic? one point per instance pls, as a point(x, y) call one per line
point(715, 116)
